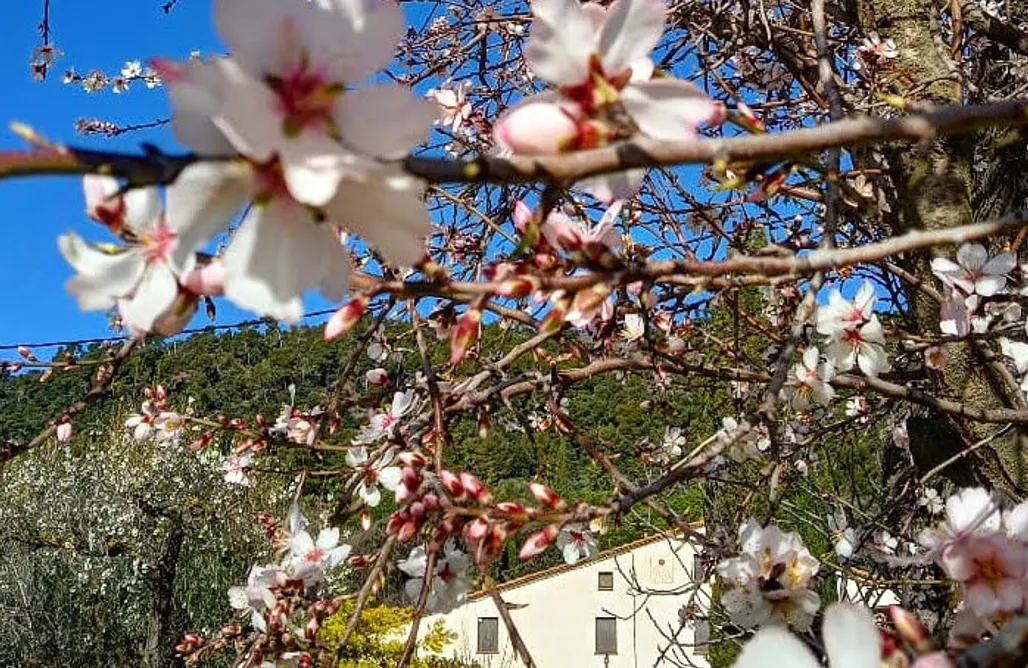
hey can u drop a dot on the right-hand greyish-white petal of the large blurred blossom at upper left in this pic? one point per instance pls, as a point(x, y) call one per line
point(384, 121)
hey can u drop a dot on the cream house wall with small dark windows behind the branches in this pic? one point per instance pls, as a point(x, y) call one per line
point(639, 606)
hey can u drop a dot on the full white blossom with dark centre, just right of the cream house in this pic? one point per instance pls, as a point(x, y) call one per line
point(770, 578)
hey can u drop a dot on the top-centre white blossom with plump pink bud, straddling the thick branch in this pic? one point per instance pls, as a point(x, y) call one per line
point(599, 60)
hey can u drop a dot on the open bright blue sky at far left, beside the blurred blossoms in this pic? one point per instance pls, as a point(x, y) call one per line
point(92, 35)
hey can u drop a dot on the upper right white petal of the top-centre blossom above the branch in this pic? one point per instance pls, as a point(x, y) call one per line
point(631, 32)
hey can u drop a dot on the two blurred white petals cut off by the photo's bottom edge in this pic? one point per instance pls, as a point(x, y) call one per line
point(852, 641)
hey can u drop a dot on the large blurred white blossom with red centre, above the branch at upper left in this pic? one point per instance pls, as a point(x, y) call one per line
point(291, 96)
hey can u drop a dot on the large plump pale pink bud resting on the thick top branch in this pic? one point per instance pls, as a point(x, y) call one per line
point(537, 129)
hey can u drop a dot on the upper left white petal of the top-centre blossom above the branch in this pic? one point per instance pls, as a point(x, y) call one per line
point(562, 43)
